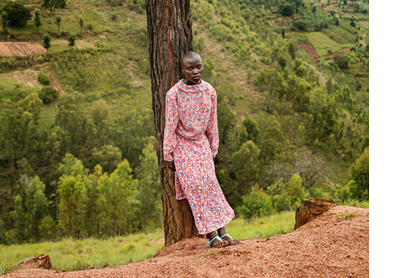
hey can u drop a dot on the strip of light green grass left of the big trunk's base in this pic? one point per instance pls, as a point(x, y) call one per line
point(72, 255)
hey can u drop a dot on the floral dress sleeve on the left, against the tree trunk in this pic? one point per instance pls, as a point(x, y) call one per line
point(171, 122)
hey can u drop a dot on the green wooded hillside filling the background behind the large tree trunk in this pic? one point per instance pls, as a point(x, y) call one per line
point(77, 153)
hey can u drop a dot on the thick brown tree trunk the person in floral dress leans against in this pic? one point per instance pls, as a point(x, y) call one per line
point(170, 33)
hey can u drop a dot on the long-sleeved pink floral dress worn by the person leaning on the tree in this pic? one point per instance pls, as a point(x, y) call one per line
point(191, 141)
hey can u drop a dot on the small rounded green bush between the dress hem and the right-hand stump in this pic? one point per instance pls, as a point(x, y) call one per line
point(256, 204)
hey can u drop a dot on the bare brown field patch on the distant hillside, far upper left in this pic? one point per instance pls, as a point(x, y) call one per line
point(20, 49)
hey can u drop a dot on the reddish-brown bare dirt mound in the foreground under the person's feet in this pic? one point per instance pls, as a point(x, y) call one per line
point(333, 244)
